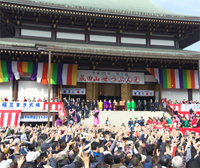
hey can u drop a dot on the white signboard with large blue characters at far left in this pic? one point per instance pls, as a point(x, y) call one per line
point(21, 105)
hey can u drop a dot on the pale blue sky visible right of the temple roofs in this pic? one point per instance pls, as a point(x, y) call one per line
point(190, 7)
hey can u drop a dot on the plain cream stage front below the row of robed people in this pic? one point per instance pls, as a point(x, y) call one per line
point(119, 117)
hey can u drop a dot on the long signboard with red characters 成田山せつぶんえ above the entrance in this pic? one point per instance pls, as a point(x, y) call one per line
point(110, 77)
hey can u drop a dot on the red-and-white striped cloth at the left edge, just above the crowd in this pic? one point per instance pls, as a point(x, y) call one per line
point(10, 117)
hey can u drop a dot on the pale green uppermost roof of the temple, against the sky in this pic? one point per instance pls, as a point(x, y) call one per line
point(144, 8)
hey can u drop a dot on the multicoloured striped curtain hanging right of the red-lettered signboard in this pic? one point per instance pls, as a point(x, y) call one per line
point(176, 78)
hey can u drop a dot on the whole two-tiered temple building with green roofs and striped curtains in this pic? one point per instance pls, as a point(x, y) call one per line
point(106, 49)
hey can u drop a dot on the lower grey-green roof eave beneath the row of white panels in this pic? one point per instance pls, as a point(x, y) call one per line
point(81, 48)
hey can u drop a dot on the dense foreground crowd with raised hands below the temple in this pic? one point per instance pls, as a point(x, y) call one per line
point(76, 146)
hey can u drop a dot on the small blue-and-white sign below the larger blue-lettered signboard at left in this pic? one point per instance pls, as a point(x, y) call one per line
point(35, 118)
